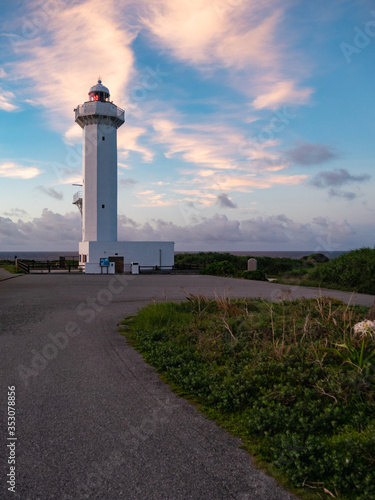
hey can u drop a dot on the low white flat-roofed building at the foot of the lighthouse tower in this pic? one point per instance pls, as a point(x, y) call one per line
point(121, 255)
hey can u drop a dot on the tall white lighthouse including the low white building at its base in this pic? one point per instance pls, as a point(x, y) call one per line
point(99, 250)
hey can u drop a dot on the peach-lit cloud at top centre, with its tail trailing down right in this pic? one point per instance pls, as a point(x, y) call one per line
point(245, 37)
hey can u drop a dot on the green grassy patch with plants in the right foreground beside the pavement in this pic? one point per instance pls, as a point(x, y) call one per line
point(292, 379)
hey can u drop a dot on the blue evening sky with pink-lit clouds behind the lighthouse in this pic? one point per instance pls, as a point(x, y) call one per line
point(249, 125)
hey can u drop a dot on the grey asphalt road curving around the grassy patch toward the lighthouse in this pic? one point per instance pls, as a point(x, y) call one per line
point(92, 419)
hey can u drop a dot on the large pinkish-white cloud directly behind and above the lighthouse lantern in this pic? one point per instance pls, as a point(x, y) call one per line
point(60, 64)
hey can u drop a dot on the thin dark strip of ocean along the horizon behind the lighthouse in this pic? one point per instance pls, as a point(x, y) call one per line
point(44, 256)
